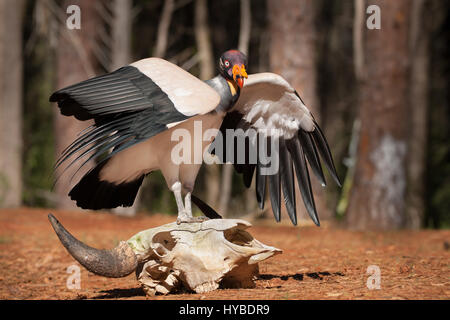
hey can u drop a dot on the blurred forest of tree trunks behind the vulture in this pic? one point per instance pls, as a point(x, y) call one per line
point(381, 96)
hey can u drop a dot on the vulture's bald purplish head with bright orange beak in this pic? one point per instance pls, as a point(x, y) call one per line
point(233, 65)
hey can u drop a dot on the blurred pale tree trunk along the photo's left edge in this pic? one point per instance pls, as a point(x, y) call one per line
point(11, 12)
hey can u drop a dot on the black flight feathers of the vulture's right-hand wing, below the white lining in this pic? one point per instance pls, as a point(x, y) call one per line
point(292, 157)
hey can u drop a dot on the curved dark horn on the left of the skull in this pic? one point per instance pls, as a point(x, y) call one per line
point(114, 263)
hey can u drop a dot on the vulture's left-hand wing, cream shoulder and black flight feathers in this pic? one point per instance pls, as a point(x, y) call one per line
point(131, 105)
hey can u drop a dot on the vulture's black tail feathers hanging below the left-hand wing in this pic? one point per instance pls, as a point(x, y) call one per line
point(95, 194)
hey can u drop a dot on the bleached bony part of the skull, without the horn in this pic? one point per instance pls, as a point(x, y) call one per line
point(198, 256)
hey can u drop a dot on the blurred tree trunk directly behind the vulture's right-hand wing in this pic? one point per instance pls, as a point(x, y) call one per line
point(293, 55)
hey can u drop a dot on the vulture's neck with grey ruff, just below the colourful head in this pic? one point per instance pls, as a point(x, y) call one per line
point(228, 90)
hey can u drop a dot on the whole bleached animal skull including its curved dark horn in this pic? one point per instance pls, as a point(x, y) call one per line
point(195, 256)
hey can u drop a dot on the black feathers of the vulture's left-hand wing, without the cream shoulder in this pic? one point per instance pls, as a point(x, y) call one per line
point(127, 106)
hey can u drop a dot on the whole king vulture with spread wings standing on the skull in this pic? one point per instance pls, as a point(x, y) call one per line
point(137, 109)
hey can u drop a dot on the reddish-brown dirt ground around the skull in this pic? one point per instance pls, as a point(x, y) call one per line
point(317, 263)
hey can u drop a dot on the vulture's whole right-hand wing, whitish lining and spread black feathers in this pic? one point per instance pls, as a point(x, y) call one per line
point(270, 106)
